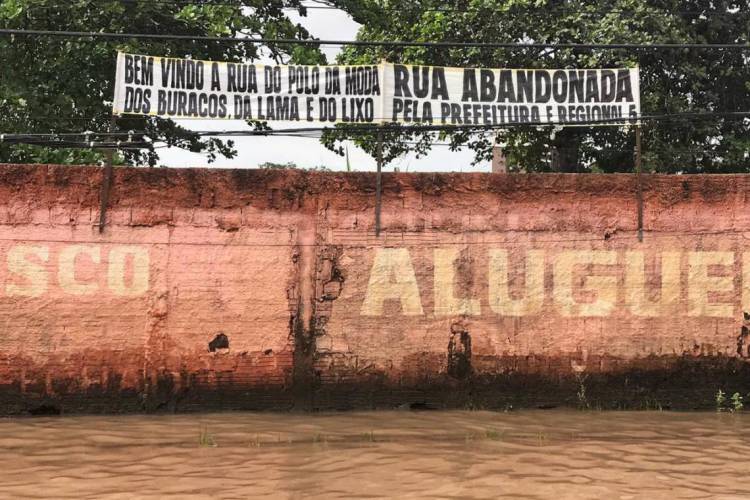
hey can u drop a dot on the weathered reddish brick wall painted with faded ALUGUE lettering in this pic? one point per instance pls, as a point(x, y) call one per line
point(482, 291)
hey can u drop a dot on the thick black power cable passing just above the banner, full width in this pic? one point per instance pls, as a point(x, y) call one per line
point(371, 43)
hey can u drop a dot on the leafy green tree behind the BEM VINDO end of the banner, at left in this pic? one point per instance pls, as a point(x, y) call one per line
point(63, 84)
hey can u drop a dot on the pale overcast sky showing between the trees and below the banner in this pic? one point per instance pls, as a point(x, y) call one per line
point(307, 153)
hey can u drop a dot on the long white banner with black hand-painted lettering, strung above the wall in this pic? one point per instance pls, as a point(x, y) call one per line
point(185, 88)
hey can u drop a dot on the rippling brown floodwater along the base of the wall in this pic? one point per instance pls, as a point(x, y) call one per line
point(441, 454)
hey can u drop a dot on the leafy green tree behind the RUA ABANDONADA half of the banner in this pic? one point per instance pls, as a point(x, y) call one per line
point(672, 81)
